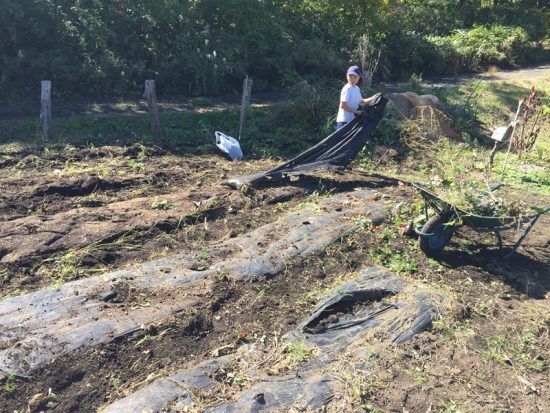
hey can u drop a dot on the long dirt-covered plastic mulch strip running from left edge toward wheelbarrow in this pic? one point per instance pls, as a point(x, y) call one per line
point(37, 327)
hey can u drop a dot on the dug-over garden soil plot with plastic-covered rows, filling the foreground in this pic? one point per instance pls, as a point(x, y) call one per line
point(86, 225)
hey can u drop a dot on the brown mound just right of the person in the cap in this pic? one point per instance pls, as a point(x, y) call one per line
point(424, 108)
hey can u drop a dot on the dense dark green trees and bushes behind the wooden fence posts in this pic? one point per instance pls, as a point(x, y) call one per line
point(206, 47)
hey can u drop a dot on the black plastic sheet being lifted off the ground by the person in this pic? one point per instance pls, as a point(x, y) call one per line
point(333, 153)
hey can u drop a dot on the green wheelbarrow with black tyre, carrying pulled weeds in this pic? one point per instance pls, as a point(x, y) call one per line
point(436, 229)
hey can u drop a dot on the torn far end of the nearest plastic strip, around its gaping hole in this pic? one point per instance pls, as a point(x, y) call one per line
point(362, 304)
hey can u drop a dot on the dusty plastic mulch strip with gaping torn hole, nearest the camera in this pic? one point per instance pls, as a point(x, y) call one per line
point(341, 321)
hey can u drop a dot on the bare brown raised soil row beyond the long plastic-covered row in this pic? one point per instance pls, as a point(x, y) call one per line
point(27, 236)
